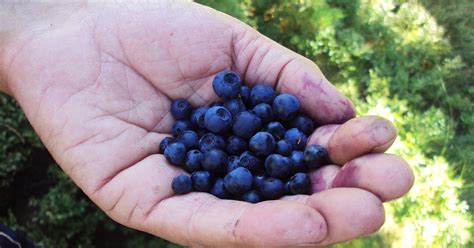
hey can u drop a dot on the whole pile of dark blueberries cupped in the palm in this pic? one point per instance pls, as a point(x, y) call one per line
point(250, 147)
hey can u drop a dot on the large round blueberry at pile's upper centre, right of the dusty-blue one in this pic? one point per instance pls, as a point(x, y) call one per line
point(246, 124)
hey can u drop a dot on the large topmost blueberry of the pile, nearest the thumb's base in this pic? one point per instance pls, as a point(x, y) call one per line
point(226, 84)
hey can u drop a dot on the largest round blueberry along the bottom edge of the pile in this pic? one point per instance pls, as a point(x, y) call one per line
point(238, 181)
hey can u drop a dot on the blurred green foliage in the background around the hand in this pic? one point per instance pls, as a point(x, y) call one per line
point(410, 62)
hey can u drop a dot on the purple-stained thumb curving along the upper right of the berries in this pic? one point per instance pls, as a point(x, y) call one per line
point(260, 59)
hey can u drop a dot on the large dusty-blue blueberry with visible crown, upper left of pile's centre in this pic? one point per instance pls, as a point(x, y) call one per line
point(217, 119)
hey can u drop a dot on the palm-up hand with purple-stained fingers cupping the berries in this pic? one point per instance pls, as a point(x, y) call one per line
point(96, 80)
